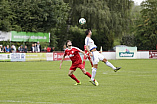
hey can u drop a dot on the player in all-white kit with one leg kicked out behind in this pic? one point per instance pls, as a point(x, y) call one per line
point(96, 56)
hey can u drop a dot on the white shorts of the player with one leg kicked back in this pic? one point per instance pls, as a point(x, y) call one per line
point(96, 57)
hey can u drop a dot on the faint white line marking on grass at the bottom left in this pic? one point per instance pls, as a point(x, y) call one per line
point(12, 101)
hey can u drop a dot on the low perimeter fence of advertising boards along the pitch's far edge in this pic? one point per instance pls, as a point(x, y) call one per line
point(56, 56)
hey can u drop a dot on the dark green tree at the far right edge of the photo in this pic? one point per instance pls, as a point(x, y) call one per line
point(146, 32)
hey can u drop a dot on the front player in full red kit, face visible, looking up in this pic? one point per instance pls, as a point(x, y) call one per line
point(73, 53)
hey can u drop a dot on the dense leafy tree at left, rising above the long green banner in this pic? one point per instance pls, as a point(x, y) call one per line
point(33, 16)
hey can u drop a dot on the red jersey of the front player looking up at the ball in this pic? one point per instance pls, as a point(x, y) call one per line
point(74, 55)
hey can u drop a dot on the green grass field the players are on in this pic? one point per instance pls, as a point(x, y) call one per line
point(44, 82)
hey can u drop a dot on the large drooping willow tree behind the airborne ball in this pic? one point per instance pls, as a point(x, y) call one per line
point(108, 18)
